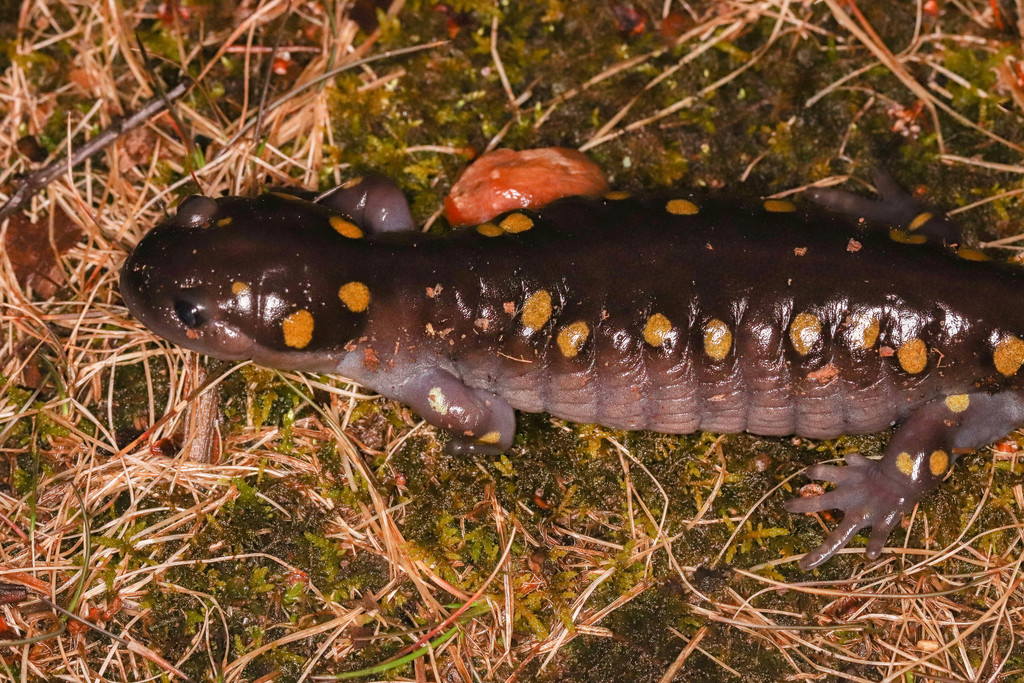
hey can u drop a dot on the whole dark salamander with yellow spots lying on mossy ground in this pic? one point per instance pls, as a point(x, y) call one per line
point(668, 313)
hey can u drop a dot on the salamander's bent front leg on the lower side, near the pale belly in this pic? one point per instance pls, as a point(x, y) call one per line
point(480, 421)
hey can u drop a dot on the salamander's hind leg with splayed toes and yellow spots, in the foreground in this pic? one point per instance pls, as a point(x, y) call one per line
point(878, 494)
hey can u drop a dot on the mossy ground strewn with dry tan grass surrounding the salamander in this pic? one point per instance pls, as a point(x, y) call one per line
point(304, 548)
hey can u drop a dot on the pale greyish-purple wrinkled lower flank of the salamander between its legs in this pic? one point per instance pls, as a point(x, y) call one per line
point(680, 401)
